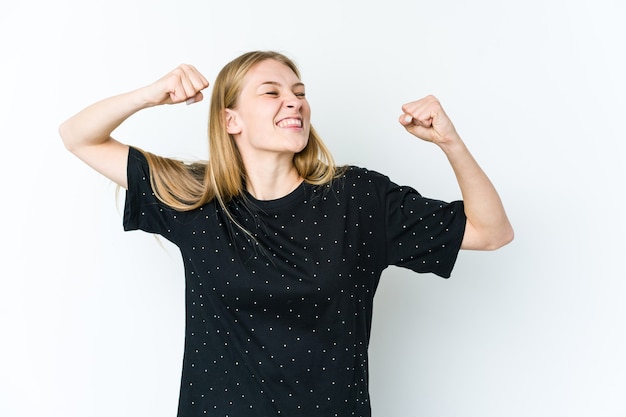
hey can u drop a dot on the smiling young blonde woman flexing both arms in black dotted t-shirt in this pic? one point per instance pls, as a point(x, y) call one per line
point(282, 249)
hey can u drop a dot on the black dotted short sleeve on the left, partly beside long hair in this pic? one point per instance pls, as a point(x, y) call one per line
point(142, 210)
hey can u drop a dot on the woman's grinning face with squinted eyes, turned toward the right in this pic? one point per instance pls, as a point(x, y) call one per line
point(272, 115)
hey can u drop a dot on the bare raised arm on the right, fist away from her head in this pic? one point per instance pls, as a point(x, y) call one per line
point(488, 227)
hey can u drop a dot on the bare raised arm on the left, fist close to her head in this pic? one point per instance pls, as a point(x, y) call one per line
point(87, 134)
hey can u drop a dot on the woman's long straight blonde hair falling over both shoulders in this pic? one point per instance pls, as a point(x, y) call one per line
point(185, 186)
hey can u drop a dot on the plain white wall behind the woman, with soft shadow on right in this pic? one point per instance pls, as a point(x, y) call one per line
point(92, 318)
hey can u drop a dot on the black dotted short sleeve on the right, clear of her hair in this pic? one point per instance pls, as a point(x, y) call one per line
point(423, 234)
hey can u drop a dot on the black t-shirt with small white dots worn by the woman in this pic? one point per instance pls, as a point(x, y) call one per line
point(278, 324)
